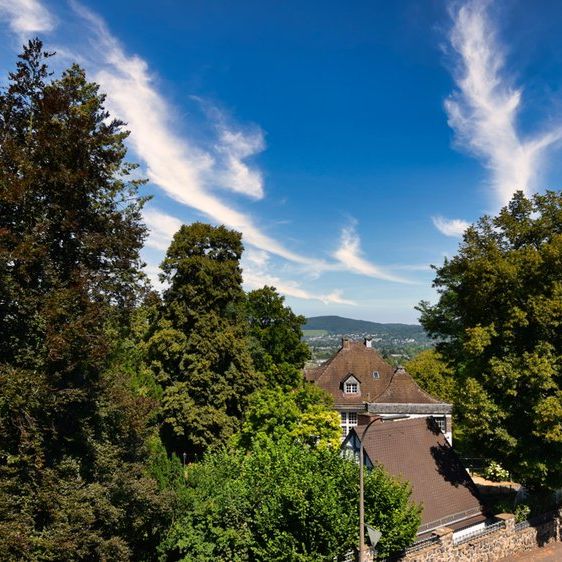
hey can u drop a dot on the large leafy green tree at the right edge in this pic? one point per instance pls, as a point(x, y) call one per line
point(499, 316)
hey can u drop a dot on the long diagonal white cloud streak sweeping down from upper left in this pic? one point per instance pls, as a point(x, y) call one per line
point(173, 163)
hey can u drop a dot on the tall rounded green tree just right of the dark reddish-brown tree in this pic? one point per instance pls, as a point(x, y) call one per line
point(198, 348)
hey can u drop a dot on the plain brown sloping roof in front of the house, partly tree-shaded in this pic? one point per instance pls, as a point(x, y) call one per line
point(415, 450)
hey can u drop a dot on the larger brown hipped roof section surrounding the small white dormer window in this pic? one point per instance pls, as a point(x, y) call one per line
point(361, 361)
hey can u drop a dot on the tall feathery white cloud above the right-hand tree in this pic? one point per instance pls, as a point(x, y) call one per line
point(484, 110)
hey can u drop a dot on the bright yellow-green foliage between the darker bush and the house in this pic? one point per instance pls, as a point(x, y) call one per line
point(305, 415)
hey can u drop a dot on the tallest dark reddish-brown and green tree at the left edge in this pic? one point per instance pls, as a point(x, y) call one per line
point(72, 485)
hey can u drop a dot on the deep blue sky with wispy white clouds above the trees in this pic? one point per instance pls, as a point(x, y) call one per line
point(350, 142)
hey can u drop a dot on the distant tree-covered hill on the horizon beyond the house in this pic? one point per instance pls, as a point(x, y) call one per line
point(340, 325)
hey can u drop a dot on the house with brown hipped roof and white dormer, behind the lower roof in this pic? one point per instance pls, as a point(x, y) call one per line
point(361, 381)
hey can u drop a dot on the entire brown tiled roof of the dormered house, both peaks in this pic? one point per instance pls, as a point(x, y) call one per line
point(361, 361)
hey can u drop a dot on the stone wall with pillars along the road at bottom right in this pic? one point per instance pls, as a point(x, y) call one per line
point(499, 541)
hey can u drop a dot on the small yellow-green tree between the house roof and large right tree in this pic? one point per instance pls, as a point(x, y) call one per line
point(432, 374)
